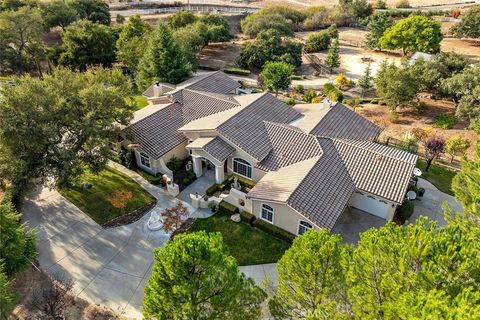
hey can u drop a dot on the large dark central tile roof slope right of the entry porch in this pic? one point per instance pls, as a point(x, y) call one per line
point(246, 129)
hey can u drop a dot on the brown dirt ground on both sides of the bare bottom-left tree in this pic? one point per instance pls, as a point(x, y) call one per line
point(31, 280)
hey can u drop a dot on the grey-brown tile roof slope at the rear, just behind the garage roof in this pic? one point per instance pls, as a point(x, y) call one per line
point(342, 123)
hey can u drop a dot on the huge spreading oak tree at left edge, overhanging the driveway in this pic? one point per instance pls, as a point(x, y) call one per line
point(53, 129)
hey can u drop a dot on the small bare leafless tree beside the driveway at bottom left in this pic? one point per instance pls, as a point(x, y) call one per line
point(54, 297)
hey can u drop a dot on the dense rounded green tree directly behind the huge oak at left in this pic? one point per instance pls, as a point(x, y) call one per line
point(86, 43)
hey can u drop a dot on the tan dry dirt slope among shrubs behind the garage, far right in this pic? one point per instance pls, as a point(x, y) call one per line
point(410, 119)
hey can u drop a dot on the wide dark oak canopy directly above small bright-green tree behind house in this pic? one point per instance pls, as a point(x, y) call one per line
point(269, 46)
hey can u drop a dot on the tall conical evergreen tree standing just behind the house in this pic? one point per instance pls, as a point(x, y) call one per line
point(164, 59)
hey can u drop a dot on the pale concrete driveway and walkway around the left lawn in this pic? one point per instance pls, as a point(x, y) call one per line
point(109, 266)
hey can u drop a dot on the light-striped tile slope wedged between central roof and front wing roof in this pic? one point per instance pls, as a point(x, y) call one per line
point(289, 145)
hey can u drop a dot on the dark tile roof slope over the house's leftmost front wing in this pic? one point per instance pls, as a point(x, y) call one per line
point(157, 133)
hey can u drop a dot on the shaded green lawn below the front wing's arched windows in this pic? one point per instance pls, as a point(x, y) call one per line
point(247, 244)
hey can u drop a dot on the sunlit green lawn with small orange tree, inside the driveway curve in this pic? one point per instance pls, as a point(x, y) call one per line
point(96, 201)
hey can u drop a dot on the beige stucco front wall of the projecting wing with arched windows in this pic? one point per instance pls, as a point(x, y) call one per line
point(284, 216)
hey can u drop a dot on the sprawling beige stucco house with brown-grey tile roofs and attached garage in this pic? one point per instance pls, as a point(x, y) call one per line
point(309, 163)
